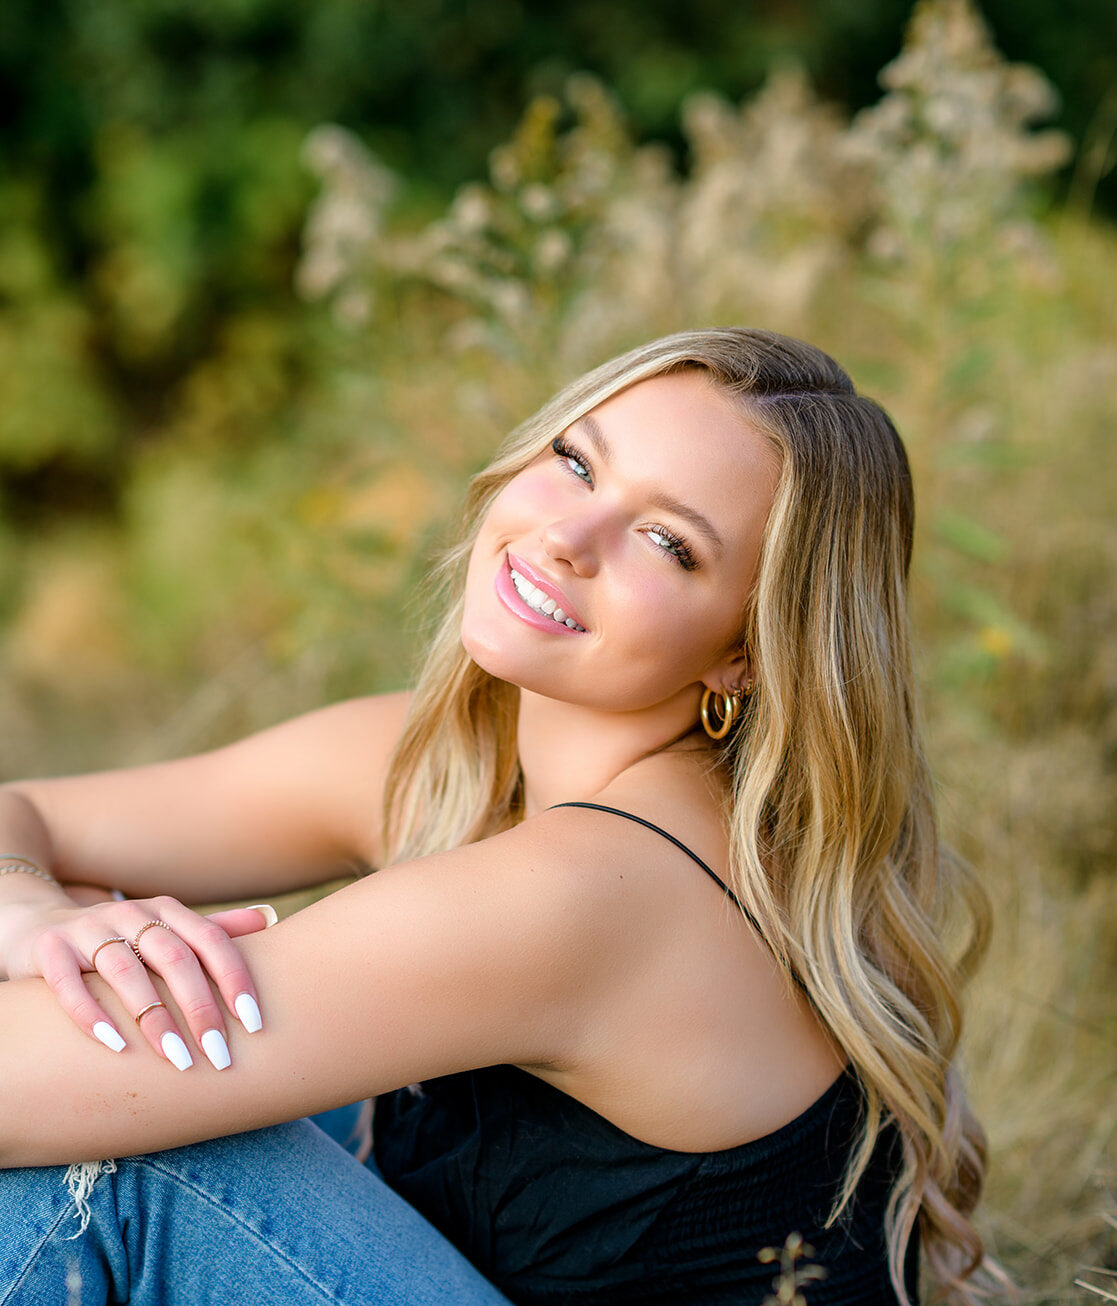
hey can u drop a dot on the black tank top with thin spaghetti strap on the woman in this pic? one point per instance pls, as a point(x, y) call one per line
point(560, 1207)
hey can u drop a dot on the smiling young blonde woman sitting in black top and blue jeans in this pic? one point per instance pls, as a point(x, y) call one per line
point(656, 942)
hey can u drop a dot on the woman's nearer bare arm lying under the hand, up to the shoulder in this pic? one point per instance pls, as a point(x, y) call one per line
point(474, 958)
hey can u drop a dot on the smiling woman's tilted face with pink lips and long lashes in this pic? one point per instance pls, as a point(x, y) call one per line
point(642, 526)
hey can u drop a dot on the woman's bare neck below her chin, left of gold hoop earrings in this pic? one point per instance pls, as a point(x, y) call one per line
point(573, 753)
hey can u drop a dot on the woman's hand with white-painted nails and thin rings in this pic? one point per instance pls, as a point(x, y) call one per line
point(59, 946)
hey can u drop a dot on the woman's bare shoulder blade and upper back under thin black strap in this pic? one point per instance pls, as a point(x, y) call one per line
point(696, 1040)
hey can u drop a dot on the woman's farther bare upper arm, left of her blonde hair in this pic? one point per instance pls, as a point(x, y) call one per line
point(287, 808)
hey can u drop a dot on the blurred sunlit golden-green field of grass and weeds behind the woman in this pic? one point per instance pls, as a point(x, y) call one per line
point(270, 535)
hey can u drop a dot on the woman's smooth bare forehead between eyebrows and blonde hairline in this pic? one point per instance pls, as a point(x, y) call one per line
point(685, 436)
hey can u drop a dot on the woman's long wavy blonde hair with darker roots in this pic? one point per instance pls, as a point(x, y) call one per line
point(829, 797)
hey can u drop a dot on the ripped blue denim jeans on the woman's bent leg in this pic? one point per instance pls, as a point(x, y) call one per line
point(283, 1217)
